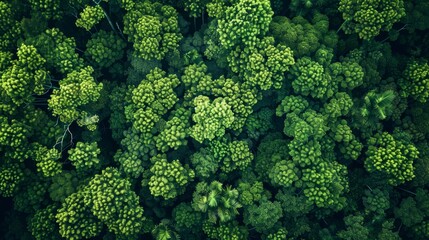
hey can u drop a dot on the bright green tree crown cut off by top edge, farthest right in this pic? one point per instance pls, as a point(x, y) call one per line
point(368, 17)
